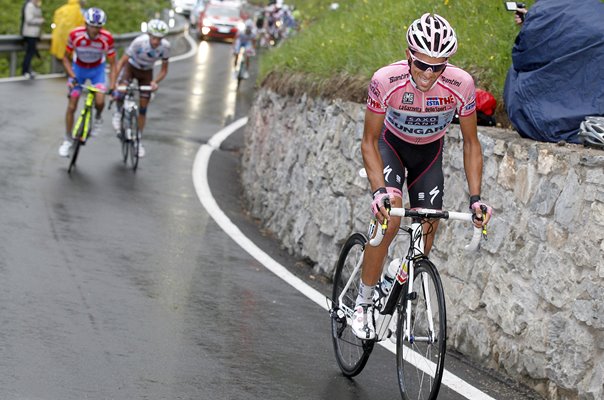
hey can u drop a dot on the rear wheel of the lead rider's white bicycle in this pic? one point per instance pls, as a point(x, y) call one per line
point(351, 352)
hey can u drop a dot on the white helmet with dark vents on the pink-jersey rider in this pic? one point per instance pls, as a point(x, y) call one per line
point(433, 36)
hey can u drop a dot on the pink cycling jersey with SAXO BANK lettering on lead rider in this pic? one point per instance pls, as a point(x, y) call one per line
point(415, 116)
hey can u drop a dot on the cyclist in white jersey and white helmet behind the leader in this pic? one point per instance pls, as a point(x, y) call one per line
point(137, 63)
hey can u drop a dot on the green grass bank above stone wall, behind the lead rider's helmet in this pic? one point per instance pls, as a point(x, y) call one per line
point(364, 35)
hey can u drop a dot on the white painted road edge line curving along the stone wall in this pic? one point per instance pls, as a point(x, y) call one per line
point(200, 180)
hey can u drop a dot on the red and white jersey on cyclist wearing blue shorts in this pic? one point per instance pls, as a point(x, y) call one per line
point(89, 53)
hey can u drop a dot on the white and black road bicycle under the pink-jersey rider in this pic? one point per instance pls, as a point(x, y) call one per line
point(412, 313)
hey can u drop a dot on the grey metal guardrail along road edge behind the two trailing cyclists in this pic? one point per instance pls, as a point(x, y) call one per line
point(13, 44)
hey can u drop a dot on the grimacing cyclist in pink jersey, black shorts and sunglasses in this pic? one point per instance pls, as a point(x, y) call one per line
point(410, 105)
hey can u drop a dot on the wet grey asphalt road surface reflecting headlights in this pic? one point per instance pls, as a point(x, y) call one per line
point(119, 285)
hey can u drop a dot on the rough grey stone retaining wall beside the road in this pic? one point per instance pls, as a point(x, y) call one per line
point(530, 304)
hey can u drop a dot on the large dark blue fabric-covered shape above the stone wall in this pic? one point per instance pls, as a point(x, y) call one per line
point(557, 76)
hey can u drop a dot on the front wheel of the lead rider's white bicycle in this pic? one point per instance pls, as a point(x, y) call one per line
point(420, 363)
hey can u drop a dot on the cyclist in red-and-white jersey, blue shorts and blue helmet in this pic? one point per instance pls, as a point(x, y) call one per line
point(88, 49)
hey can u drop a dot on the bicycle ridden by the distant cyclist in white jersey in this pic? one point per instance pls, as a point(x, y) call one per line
point(129, 132)
